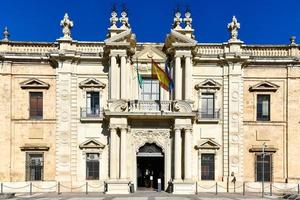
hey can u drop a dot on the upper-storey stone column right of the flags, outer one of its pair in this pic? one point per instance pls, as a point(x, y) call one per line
point(188, 78)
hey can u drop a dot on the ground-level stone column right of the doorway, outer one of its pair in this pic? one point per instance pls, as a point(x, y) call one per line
point(187, 154)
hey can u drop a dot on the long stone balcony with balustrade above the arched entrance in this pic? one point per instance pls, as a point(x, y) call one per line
point(148, 109)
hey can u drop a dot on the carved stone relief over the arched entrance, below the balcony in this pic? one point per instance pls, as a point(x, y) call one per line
point(159, 137)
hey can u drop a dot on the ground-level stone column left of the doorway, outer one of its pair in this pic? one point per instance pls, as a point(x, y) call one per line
point(113, 154)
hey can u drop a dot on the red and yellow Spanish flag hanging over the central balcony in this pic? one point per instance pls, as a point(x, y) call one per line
point(161, 75)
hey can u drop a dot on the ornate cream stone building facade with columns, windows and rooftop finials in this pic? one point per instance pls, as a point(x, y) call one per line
point(73, 111)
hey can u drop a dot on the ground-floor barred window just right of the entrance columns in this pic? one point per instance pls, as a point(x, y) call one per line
point(208, 166)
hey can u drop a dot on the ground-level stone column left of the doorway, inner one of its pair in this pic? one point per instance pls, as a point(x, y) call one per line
point(123, 159)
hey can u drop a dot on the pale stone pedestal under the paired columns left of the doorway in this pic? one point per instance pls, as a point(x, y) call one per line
point(117, 187)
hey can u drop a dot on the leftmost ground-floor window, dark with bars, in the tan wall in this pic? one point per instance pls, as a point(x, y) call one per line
point(34, 166)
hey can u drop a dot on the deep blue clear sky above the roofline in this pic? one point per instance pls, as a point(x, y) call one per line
point(262, 21)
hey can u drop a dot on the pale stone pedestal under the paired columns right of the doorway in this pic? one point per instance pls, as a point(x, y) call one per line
point(184, 187)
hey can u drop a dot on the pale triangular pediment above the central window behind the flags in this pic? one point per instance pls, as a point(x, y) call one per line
point(150, 52)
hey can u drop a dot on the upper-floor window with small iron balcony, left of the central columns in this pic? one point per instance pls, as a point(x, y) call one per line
point(92, 104)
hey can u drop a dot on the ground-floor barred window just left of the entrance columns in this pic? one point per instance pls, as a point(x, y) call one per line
point(92, 166)
